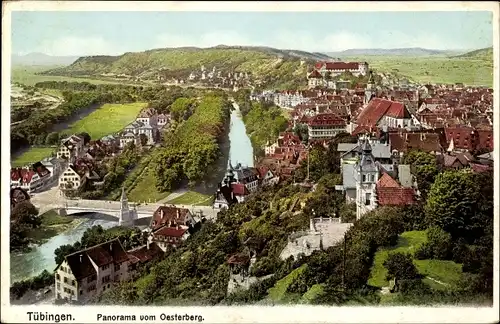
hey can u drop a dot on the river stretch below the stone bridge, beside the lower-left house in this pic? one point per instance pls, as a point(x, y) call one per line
point(41, 257)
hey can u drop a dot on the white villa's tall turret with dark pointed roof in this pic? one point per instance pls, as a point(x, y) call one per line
point(367, 174)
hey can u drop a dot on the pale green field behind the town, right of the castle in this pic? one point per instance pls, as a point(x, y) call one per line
point(435, 69)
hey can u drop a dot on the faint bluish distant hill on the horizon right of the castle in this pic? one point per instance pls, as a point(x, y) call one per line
point(415, 51)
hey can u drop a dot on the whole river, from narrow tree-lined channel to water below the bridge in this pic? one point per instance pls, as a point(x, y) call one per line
point(237, 147)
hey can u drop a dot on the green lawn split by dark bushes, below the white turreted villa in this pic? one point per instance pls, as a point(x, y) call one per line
point(447, 272)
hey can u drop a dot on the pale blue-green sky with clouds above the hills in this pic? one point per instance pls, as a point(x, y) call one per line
point(113, 33)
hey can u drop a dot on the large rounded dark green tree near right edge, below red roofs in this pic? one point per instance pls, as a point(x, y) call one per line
point(452, 203)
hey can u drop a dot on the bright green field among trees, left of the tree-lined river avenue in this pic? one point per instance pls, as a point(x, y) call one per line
point(108, 119)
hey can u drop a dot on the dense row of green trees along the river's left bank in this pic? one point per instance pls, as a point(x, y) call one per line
point(193, 146)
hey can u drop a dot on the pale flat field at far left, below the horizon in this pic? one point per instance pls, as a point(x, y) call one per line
point(27, 75)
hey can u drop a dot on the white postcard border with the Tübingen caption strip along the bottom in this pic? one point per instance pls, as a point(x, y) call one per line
point(292, 314)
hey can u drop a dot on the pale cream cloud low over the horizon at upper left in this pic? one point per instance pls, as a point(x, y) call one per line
point(79, 46)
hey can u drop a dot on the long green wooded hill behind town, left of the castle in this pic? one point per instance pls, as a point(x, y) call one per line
point(264, 63)
